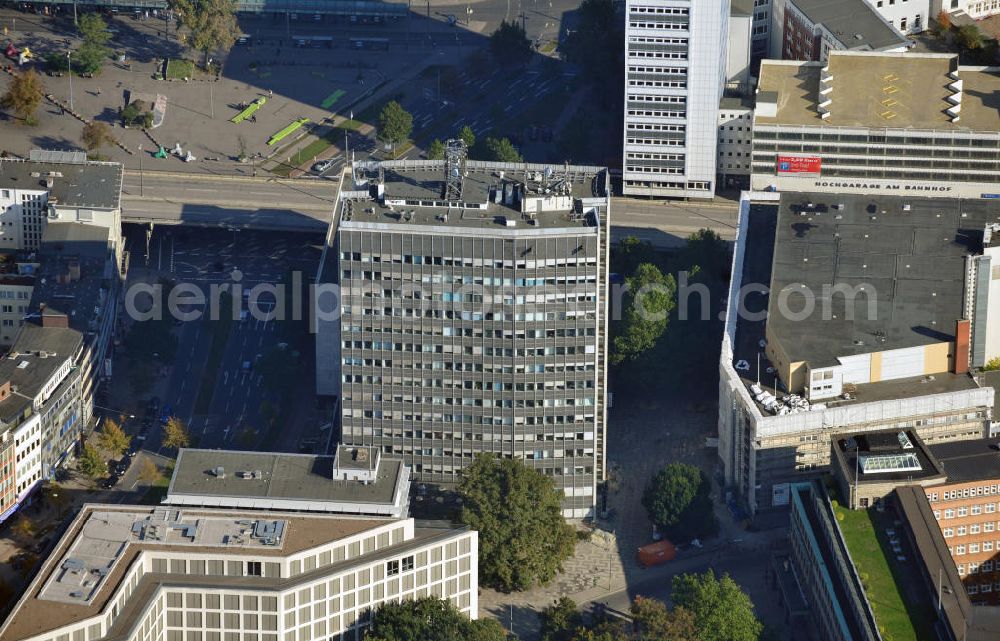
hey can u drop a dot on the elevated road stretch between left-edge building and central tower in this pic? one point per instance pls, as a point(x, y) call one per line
point(263, 203)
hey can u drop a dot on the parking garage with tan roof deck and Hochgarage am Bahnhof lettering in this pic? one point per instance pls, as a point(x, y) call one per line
point(877, 123)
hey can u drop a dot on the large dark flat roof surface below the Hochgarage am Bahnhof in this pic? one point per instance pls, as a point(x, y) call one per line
point(910, 261)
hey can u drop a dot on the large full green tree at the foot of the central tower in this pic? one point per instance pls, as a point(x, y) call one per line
point(523, 538)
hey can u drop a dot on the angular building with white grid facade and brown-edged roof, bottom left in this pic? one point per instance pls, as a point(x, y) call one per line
point(161, 574)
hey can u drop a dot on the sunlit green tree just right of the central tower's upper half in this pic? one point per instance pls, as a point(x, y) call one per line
point(646, 307)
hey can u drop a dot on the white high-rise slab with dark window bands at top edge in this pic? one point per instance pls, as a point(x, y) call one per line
point(675, 72)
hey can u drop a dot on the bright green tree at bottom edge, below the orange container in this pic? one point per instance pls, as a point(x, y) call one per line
point(722, 611)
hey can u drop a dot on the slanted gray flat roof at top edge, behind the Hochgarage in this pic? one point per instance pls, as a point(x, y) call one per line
point(854, 22)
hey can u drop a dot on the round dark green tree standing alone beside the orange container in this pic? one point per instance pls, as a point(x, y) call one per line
point(678, 499)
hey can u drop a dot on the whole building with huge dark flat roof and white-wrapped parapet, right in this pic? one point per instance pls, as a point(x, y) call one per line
point(854, 376)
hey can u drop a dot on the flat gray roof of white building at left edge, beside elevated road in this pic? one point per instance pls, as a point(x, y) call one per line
point(92, 184)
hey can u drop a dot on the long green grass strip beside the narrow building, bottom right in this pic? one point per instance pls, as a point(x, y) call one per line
point(896, 622)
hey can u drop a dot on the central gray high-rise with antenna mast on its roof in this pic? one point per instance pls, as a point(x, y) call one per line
point(473, 317)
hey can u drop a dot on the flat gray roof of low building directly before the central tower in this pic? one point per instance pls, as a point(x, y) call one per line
point(304, 477)
